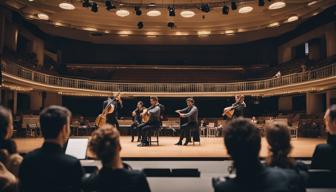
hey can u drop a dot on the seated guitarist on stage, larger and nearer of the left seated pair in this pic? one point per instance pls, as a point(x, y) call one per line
point(154, 121)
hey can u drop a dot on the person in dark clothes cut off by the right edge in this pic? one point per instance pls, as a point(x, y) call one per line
point(324, 156)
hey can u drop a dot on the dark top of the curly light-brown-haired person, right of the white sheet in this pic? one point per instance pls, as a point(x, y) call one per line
point(117, 180)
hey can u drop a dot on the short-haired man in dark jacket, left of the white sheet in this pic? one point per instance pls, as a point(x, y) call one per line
point(48, 168)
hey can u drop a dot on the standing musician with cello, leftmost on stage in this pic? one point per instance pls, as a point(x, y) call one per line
point(111, 118)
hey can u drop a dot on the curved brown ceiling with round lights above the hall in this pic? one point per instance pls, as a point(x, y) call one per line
point(204, 28)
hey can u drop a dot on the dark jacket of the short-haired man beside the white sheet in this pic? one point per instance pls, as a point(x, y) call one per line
point(49, 169)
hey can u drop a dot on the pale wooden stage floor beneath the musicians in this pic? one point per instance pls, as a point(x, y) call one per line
point(209, 148)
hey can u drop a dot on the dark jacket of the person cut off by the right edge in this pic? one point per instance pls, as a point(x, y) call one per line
point(324, 156)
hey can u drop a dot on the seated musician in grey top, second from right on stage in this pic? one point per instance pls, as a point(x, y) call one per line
point(191, 113)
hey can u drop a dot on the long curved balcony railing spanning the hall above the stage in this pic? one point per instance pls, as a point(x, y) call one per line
point(28, 74)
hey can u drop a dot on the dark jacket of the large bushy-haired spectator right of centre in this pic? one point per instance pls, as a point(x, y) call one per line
point(265, 180)
